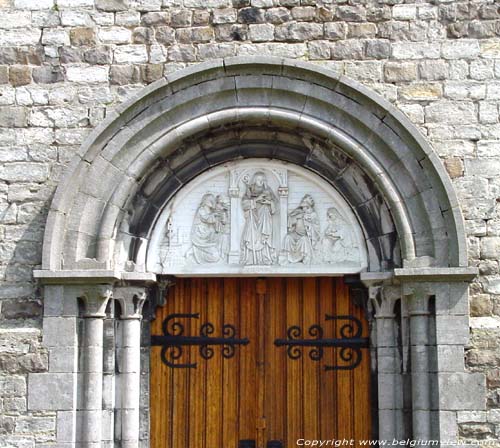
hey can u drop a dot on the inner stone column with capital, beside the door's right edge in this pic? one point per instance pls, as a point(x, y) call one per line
point(383, 300)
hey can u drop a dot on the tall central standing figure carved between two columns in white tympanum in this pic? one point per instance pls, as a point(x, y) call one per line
point(259, 205)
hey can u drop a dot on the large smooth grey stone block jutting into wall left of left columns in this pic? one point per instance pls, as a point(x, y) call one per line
point(51, 391)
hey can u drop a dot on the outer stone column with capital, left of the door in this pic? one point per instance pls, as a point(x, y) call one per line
point(95, 299)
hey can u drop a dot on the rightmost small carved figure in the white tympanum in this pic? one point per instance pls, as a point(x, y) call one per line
point(337, 243)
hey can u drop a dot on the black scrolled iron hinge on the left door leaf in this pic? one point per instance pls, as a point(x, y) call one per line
point(173, 340)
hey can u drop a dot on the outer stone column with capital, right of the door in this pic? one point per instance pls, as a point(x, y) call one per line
point(418, 310)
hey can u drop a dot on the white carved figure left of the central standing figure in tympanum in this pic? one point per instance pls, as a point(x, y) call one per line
point(206, 234)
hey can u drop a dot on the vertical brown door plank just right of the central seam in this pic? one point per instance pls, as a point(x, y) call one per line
point(275, 383)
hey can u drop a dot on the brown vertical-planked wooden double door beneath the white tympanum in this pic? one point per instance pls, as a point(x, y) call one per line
point(260, 393)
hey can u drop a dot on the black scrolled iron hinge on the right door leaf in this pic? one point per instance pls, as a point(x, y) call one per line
point(349, 344)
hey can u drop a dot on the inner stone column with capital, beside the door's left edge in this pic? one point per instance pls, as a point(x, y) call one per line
point(131, 300)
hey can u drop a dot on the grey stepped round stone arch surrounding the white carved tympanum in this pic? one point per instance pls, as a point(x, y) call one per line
point(211, 113)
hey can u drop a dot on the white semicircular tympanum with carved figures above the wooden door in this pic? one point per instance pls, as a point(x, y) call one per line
point(257, 216)
